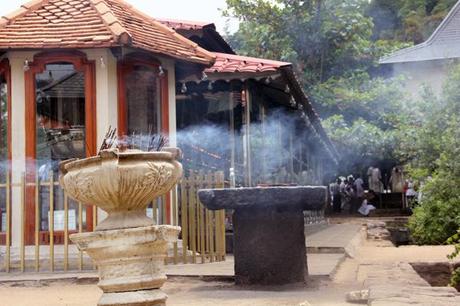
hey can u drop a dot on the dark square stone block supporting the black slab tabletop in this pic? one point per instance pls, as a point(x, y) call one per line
point(269, 246)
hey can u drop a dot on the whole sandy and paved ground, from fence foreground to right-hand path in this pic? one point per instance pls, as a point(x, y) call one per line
point(384, 270)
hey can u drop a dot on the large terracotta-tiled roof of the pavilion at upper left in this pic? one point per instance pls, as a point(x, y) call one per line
point(93, 24)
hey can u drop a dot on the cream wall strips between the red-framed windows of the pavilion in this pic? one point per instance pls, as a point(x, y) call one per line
point(106, 113)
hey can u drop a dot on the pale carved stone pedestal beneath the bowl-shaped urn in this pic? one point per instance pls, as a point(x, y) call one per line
point(130, 263)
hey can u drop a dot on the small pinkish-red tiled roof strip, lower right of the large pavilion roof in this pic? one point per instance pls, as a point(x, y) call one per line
point(229, 63)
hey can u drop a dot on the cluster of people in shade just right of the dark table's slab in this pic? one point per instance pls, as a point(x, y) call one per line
point(348, 194)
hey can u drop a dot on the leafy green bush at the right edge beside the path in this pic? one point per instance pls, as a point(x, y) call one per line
point(436, 140)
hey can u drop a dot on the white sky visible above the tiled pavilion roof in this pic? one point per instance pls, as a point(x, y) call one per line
point(196, 10)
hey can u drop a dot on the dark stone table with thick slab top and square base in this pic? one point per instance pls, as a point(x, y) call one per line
point(269, 237)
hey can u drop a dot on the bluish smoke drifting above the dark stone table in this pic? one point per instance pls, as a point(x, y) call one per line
point(280, 149)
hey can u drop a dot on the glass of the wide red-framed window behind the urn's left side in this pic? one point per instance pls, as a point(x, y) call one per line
point(61, 133)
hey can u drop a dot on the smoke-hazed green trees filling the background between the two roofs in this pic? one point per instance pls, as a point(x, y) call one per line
point(335, 46)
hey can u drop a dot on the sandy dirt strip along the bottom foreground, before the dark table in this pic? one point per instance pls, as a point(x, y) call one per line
point(184, 291)
